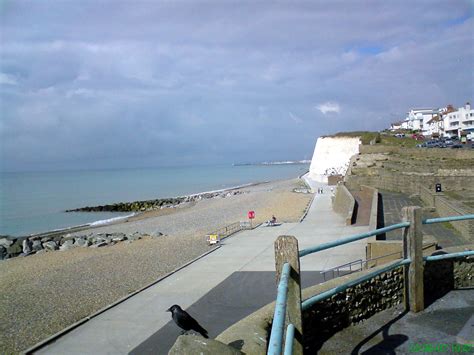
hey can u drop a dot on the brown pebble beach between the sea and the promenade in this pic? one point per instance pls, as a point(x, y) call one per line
point(42, 294)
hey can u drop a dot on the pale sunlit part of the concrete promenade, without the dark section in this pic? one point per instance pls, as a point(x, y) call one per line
point(122, 328)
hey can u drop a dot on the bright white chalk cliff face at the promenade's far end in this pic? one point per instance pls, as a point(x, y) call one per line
point(331, 157)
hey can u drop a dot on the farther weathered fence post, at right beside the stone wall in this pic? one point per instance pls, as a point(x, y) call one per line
point(413, 249)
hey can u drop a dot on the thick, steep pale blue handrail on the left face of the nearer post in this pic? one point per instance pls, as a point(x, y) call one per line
point(276, 335)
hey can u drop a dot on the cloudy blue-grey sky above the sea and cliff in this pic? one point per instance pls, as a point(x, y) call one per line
point(125, 84)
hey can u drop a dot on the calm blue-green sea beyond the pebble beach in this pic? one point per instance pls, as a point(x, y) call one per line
point(35, 202)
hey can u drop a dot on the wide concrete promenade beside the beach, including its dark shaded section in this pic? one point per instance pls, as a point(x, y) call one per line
point(248, 255)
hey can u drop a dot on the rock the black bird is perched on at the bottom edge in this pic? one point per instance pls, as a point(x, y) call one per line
point(192, 344)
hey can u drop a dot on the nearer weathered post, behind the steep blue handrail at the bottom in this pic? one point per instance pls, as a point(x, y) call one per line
point(286, 251)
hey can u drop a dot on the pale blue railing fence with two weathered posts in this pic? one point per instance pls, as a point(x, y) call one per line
point(289, 307)
